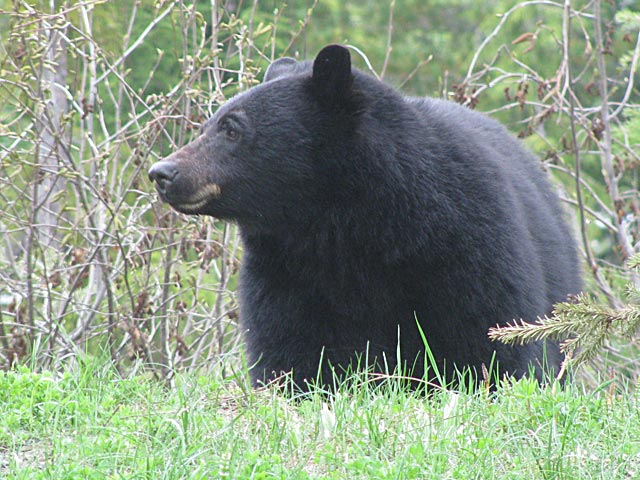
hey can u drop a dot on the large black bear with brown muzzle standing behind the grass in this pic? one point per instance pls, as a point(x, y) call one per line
point(370, 220)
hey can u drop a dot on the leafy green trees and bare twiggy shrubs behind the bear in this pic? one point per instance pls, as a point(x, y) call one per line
point(93, 92)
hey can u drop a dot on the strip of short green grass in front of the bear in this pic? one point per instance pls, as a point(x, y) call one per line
point(89, 423)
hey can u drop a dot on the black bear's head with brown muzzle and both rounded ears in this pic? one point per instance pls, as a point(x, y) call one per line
point(263, 158)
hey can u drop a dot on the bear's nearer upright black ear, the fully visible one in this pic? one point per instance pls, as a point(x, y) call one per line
point(332, 76)
